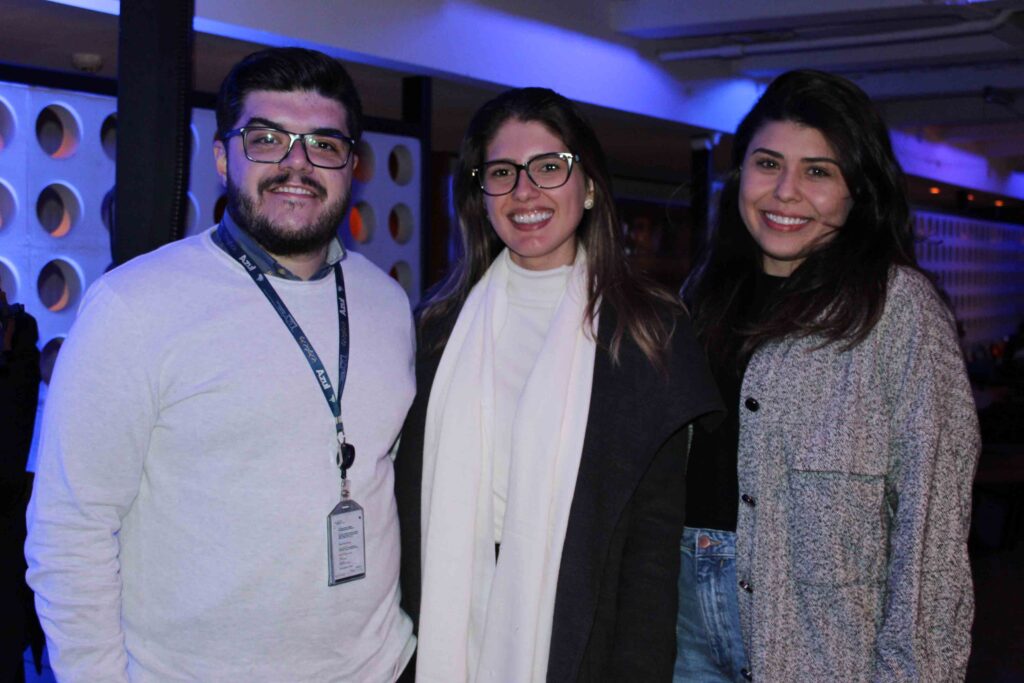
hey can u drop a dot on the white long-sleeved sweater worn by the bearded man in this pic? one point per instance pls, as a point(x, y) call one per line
point(179, 525)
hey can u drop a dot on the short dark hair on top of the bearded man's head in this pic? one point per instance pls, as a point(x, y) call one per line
point(285, 70)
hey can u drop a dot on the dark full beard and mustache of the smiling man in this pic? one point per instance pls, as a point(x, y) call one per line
point(280, 241)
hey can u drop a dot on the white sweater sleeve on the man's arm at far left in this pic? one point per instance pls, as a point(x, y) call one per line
point(91, 462)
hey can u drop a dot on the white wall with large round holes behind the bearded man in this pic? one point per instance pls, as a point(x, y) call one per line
point(58, 166)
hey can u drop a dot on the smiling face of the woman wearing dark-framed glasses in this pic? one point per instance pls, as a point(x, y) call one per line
point(538, 226)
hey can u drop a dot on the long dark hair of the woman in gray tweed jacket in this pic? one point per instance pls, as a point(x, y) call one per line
point(839, 291)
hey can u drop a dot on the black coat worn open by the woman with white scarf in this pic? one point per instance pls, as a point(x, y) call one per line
point(617, 596)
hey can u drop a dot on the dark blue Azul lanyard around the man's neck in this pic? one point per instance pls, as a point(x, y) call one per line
point(320, 372)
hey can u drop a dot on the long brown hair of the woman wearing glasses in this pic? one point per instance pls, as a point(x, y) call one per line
point(612, 281)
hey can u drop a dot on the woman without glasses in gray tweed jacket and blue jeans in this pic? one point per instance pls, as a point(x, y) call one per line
point(828, 517)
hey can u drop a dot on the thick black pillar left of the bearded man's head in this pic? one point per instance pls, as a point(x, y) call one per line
point(155, 82)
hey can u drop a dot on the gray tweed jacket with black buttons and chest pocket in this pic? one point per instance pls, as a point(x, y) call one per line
point(856, 475)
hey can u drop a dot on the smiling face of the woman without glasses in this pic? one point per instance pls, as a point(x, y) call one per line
point(793, 197)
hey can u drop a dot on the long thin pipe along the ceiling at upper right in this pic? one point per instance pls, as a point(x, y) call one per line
point(783, 48)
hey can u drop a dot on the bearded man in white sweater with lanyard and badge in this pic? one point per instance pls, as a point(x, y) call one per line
point(192, 440)
